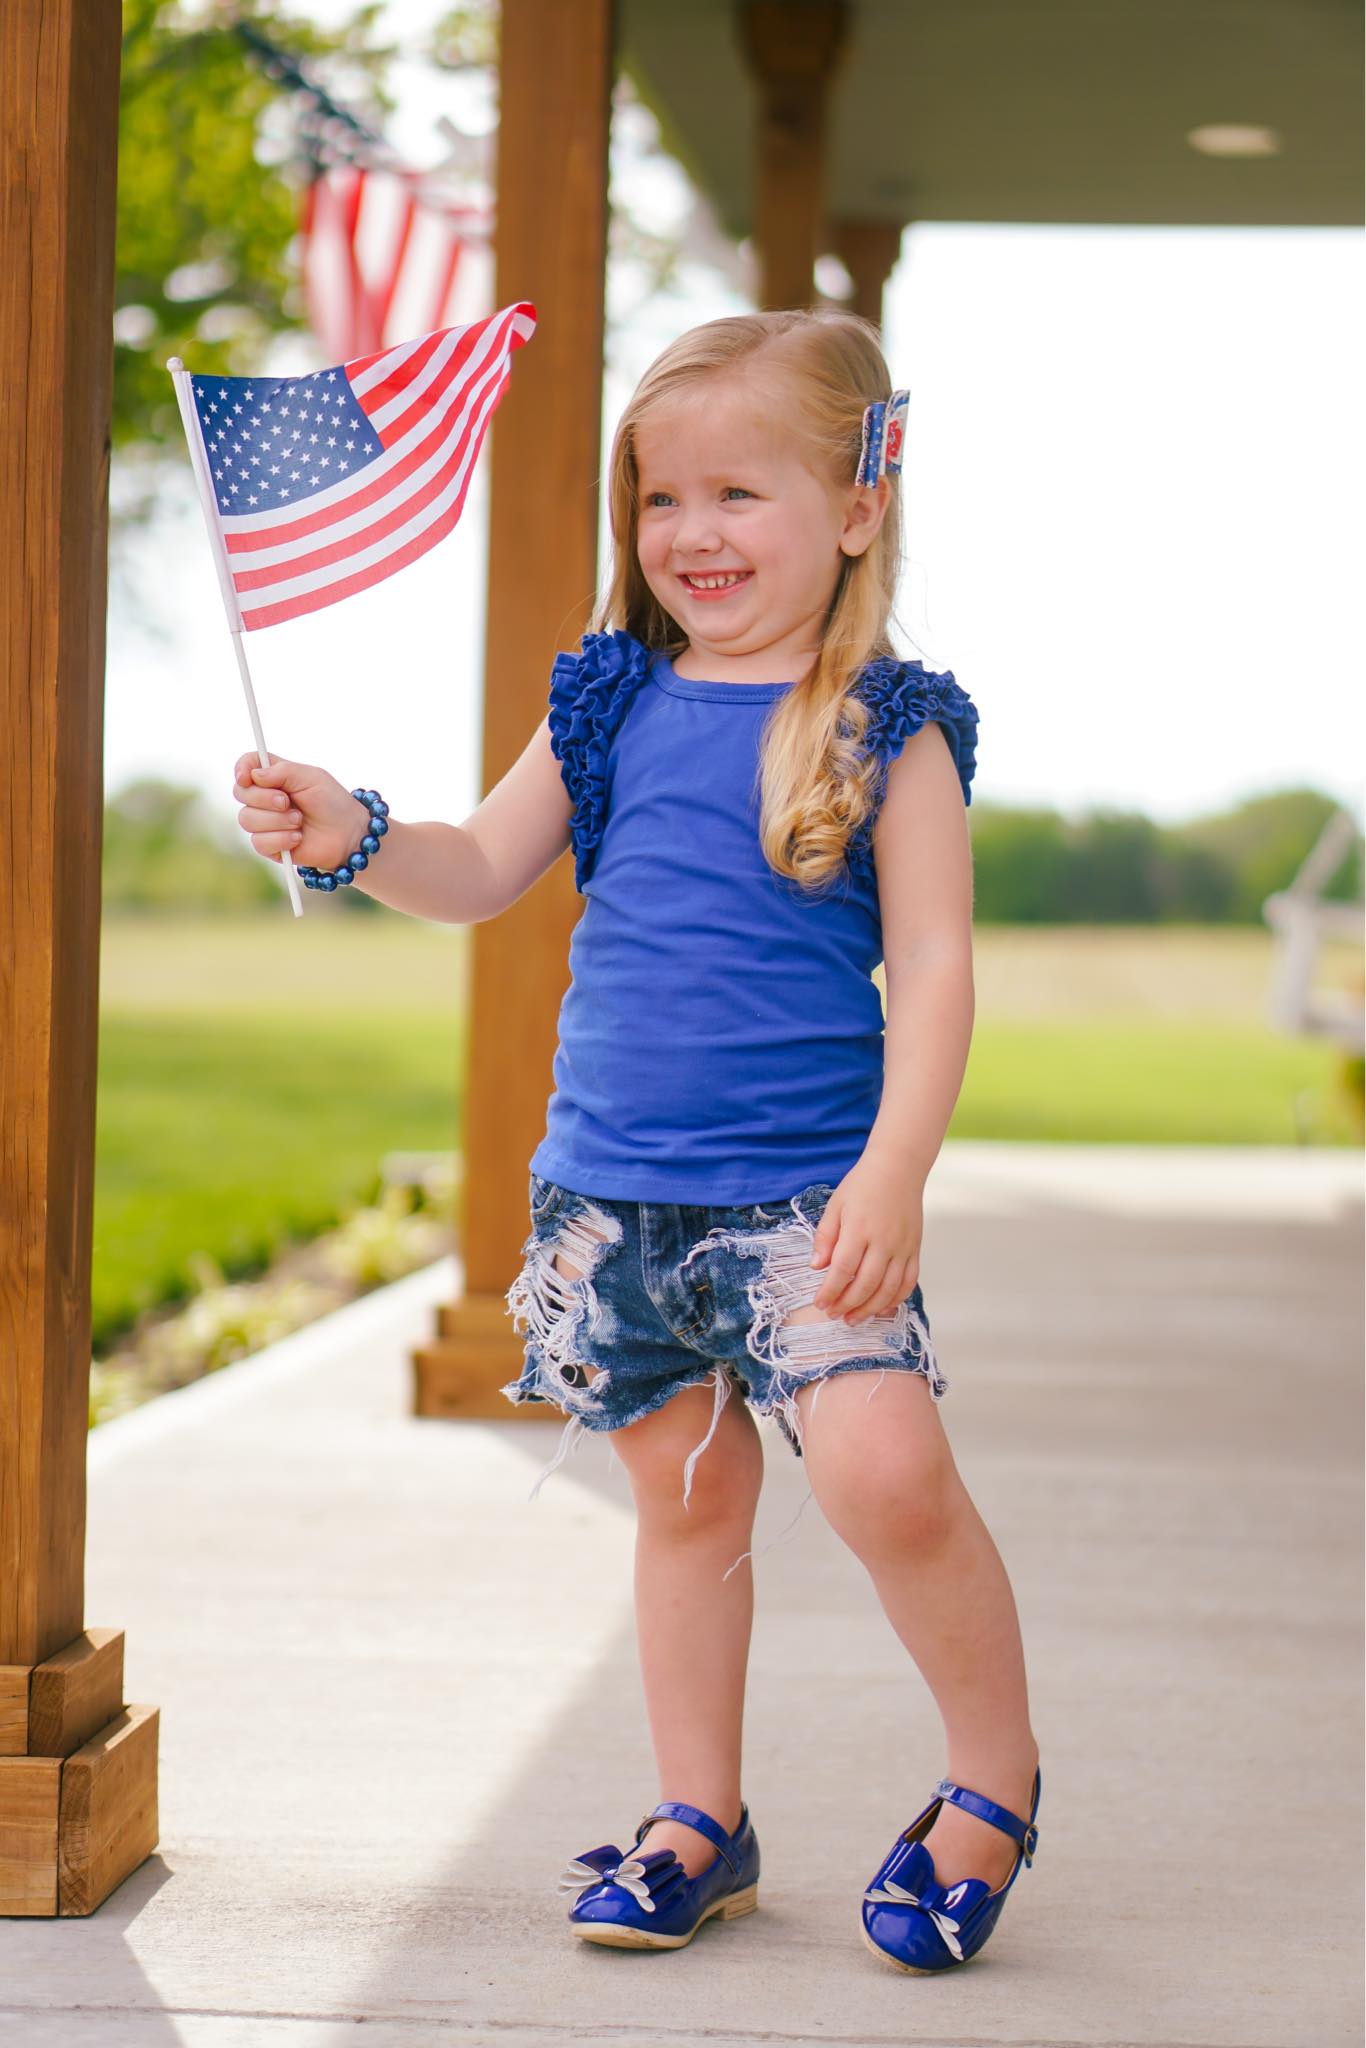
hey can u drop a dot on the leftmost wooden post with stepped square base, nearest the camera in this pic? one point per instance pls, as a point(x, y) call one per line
point(77, 1770)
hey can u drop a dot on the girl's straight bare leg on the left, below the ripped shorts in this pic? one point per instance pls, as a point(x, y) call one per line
point(693, 1623)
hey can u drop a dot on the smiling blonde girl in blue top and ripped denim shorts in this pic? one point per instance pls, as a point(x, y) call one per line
point(763, 802)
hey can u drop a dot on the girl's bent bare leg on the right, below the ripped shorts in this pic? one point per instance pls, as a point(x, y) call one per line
point(886, 1478)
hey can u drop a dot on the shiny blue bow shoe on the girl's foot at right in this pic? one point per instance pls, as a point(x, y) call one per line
point(923, 1926)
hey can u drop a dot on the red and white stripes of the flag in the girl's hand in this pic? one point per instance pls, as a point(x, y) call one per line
point(429, 404)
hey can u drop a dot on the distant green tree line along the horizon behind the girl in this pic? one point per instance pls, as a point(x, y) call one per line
point(165, 853)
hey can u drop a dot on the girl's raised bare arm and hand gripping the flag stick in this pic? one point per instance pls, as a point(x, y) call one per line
point(445, 873)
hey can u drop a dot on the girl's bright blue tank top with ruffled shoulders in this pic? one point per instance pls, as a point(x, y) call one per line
point(722, 1035)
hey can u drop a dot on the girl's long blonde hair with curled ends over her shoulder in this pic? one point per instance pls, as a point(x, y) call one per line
point(816, 781)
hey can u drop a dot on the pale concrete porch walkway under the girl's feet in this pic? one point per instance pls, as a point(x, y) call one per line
point(396, 1697)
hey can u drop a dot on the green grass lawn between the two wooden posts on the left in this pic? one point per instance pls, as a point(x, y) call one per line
point(253, 1076)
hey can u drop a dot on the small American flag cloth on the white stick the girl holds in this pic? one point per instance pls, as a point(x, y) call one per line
point(331, 482)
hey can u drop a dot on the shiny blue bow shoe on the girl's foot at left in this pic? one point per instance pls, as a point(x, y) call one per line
point(650, 1902)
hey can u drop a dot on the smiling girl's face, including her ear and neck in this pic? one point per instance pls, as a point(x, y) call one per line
point(738, 538)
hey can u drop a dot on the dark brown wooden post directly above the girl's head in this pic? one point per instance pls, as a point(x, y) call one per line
point(792, 48)
